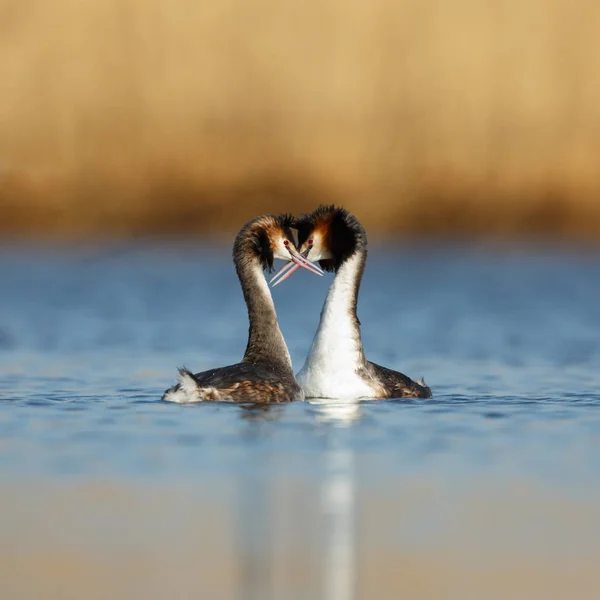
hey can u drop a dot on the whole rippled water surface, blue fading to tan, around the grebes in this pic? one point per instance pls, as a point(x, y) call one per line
point(490, 489)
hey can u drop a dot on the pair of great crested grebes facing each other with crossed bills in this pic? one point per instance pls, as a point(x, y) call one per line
point(336, 366)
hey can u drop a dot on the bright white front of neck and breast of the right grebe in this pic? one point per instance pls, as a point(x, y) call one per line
point(330, 370)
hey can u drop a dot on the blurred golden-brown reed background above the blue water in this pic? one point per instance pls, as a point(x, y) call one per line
point(423, 116)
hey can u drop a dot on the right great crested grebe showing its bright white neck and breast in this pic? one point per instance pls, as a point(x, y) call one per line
point(336, 366)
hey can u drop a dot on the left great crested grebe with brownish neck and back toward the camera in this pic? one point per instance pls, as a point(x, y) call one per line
point(265, 373)
